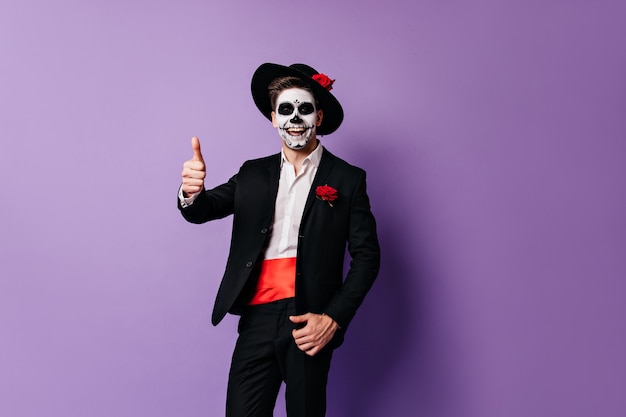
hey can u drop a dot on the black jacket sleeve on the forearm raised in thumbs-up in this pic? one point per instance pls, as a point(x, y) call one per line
point(211, 204)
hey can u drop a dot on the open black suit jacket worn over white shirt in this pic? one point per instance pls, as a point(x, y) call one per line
point(324, 233)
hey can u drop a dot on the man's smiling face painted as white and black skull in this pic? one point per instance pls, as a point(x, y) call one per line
point(295, 117)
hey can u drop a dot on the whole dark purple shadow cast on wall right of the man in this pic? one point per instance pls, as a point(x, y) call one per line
point(393, 355)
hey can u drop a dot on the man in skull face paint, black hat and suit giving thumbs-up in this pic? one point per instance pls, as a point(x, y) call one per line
point(293, 215)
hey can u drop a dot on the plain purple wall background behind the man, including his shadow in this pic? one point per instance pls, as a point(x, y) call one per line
point(494, 136)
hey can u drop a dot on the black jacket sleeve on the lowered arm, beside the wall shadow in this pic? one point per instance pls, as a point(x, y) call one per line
point(364, 250)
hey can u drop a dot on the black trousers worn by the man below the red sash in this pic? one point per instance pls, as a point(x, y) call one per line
point(264, 356)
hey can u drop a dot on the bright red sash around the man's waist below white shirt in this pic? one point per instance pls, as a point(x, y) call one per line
point(277, 281)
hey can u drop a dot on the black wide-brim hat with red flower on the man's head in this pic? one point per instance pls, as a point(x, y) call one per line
point(266, 73)
